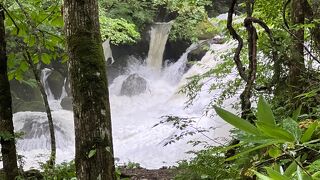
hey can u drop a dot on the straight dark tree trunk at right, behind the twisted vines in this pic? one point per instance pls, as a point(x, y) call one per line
point(296, 64)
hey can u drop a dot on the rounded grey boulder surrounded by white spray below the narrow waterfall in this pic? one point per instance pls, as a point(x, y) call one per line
point(133, 85)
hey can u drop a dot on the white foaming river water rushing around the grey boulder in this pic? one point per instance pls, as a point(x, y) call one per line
point(135, 138)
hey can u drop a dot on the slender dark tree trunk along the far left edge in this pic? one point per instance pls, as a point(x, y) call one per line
point(8, 147)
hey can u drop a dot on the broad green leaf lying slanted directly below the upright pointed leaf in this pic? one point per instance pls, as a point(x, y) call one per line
point(275, 132)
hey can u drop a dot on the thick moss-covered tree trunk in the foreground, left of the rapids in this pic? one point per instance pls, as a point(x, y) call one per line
point(89, 87)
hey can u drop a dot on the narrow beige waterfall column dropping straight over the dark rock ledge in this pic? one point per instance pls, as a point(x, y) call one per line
point(158, 38)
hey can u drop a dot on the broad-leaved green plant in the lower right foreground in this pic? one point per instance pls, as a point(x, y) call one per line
point(286, 144)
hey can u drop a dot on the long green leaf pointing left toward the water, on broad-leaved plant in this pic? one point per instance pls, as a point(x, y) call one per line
point(236, 121)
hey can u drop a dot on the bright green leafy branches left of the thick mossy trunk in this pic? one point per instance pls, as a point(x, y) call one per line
point(34, 27)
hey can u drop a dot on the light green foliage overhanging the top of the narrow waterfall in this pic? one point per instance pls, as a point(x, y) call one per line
point(188, 16)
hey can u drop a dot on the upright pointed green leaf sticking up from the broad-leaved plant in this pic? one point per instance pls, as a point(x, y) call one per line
point(264, 113)
